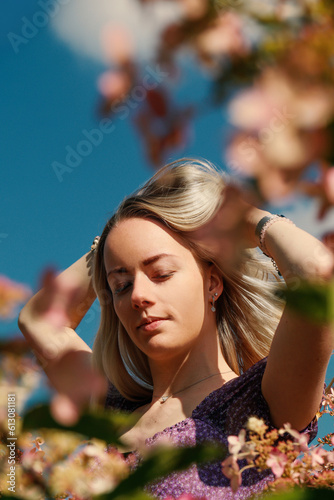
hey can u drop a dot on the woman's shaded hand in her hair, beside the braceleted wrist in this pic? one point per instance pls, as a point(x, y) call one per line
point(230, 230)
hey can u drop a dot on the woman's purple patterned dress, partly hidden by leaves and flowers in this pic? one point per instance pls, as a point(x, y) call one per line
point(221, 414)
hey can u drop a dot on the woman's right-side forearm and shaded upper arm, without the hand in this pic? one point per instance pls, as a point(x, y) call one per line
point(293, 381)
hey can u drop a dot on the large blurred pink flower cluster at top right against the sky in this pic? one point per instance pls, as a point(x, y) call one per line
point(276, 56)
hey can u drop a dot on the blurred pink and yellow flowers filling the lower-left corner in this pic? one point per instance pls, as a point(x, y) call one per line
point(49, 463)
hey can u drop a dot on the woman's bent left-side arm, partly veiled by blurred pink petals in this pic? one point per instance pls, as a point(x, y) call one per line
point(48, 321)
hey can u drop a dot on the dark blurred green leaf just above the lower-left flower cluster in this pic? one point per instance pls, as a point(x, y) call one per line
point(103, 425)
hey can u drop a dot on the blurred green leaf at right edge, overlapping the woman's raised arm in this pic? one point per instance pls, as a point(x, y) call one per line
point(314, 301)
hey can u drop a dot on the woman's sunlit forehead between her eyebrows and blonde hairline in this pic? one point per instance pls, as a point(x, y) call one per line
point(137, 239)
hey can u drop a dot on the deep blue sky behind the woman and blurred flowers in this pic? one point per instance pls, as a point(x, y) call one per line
point(48, 98)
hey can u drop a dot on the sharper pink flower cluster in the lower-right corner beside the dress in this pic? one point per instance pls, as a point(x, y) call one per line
point(285, 452)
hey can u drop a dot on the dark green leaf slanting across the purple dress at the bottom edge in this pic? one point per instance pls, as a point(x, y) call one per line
point(160, 462)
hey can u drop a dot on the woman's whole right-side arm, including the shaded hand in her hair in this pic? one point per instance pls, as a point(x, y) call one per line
point(300, 352)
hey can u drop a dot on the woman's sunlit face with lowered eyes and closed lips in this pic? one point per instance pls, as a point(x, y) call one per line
point(160, 294)
